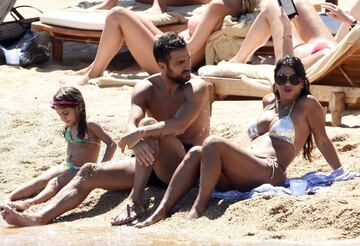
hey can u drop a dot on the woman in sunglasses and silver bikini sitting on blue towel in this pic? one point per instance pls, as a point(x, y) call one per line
point(290, 119)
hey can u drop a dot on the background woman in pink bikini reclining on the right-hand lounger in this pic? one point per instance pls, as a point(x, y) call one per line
point(311, 38)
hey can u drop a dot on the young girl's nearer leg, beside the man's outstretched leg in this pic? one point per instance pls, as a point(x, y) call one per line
point(52, 187)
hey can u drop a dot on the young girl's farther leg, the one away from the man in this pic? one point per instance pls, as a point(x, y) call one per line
point(35, 185)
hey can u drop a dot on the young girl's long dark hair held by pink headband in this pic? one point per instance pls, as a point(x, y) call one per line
point(70, 97)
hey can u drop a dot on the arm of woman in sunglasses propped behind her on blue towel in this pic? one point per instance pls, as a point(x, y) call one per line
point(316, 120)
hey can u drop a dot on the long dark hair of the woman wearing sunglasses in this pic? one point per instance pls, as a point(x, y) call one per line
point(296, 64)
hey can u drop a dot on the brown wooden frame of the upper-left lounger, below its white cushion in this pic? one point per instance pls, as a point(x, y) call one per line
point(60, 34)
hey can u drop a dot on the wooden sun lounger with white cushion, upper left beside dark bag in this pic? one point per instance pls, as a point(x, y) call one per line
point(86, 26)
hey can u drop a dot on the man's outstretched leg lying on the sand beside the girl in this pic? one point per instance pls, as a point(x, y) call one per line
point(110, 176)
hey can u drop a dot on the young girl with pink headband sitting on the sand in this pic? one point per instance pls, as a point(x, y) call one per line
point(83, 140)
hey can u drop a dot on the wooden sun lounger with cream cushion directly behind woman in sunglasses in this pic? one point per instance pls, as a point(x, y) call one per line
point(335, 78)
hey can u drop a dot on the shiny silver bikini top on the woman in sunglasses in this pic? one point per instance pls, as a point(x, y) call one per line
point(282, 129)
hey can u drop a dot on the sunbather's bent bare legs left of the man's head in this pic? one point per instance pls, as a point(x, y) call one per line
point(121, 26)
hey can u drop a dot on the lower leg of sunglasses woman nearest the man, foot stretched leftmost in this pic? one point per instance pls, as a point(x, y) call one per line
point(181, 182)
